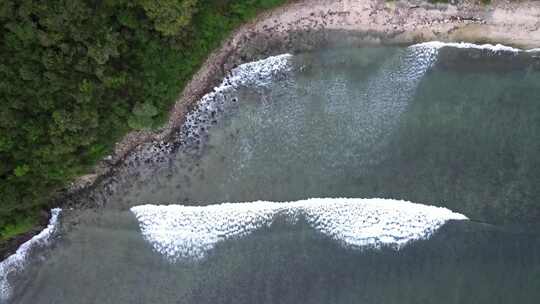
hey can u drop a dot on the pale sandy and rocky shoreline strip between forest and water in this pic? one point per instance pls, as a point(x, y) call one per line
point(303, 25)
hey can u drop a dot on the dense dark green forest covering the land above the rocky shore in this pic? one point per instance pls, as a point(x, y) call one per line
point(76, 75)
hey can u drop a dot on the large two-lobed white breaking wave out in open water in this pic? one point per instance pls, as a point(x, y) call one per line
point(188, 232)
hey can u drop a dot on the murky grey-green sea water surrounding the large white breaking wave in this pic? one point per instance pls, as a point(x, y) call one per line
point(452, 126)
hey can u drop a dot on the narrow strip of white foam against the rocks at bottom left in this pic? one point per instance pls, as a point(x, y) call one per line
point(16, 261)
